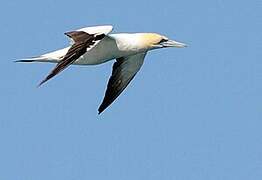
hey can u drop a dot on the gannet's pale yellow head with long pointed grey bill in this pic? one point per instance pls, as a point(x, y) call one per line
point(155, 41)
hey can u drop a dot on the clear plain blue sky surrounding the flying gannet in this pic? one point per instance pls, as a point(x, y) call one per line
point(189, 114)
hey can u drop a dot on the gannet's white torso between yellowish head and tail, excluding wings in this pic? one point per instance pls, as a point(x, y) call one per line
point(111, 47)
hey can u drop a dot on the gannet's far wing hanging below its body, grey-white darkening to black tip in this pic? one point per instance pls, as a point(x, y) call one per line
point(124, 70)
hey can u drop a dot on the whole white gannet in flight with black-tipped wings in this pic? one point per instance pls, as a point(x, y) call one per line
point(97, 45)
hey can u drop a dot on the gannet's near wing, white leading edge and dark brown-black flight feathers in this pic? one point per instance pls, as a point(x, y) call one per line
point(83, 40)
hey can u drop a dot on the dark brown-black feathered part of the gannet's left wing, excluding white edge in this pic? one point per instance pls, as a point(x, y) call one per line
point(82, 42)
